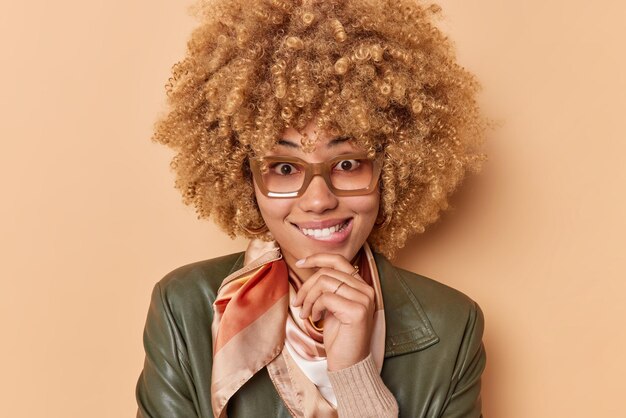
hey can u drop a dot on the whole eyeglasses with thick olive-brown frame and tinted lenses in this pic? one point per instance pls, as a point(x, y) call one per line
point(345, 175)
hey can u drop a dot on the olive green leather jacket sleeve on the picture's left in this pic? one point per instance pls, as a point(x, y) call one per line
point(163, 388)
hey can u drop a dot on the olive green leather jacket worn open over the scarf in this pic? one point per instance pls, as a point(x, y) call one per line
point(434, 355)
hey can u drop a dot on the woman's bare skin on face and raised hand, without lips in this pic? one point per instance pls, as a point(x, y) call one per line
point(322, 264)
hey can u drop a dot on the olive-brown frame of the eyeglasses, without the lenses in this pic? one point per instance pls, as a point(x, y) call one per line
point(315, 169)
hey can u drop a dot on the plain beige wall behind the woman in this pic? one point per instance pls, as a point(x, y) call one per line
point(89, 219)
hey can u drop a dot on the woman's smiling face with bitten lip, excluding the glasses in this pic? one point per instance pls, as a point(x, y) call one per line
point(298, 224)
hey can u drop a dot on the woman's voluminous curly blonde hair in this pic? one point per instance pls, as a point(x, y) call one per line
point(376, 70)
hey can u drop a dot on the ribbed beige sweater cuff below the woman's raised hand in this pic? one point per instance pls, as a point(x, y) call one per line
point(361, 392)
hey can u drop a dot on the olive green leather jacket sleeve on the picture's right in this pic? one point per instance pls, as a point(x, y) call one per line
point(465, 401)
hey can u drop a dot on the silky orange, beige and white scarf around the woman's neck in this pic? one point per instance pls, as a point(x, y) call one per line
point(256, 326)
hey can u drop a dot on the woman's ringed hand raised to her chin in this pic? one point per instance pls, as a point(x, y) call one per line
point(349, 308)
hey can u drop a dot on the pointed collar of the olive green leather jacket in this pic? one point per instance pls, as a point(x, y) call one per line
point(407, 327)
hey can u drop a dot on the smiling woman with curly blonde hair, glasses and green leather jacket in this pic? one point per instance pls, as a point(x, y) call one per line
point(327, 132)
